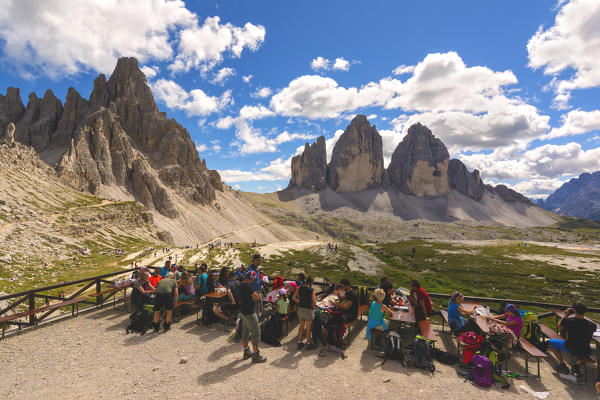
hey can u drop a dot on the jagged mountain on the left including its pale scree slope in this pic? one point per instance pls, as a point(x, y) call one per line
point(118, 145)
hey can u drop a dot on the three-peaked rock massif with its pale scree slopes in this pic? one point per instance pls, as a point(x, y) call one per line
point(421, 181)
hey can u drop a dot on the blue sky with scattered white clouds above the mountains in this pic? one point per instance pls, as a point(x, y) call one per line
point(511, 87)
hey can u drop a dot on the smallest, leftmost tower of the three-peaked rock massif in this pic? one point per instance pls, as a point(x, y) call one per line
point(309, 169)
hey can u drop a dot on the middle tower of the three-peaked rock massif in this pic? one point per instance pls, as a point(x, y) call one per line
point(357, 158)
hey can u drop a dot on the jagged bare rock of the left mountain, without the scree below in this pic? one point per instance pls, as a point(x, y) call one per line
point(116, 138)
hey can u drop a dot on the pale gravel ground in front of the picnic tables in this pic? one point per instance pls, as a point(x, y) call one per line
point(91, 357)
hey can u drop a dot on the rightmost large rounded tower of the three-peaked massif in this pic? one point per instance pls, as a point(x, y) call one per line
point(419, 165)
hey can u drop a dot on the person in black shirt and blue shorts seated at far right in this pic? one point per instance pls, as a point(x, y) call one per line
point(579, 333)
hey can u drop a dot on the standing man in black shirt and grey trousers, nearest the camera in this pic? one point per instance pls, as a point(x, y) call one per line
point(250, 325)
